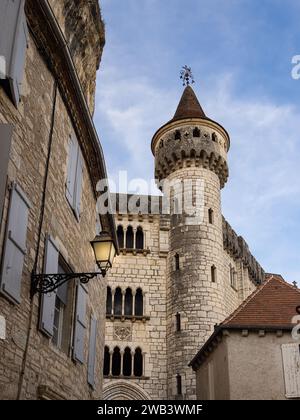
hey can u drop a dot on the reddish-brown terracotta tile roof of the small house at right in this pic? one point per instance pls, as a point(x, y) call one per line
point(272, 304)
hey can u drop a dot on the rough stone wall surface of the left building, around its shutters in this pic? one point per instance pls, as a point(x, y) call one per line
point(45, 364)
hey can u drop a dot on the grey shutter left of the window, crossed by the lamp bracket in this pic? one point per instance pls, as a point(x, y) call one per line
point(48, 299)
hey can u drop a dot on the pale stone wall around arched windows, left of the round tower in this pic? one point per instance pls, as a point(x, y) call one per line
point(149, 273)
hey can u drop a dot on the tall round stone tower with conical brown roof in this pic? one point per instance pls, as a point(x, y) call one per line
point(191, 154)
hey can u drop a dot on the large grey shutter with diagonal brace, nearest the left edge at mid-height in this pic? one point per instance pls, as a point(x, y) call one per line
point(15, 244)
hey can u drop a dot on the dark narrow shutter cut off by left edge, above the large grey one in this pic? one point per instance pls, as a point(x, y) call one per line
point(6, 131)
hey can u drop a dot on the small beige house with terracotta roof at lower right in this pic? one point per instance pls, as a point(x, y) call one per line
point(258, 342)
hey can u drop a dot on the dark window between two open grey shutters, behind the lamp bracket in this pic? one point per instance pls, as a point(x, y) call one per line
point(63, 312)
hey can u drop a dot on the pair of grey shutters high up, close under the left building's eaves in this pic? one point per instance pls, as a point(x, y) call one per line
point(74, 176)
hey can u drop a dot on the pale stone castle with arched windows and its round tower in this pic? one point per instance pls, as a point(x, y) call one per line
point(182, 269)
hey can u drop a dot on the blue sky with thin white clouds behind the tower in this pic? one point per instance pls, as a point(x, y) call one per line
point(240, 52)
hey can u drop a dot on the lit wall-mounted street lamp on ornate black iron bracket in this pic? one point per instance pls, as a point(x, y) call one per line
point(104, 251)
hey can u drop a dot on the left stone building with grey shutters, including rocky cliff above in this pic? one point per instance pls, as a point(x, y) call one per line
point(51, 346)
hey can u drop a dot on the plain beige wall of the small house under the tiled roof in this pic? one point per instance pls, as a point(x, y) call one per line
point(245, 367)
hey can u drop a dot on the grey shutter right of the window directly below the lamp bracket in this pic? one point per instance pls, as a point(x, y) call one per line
point(80, 324)
